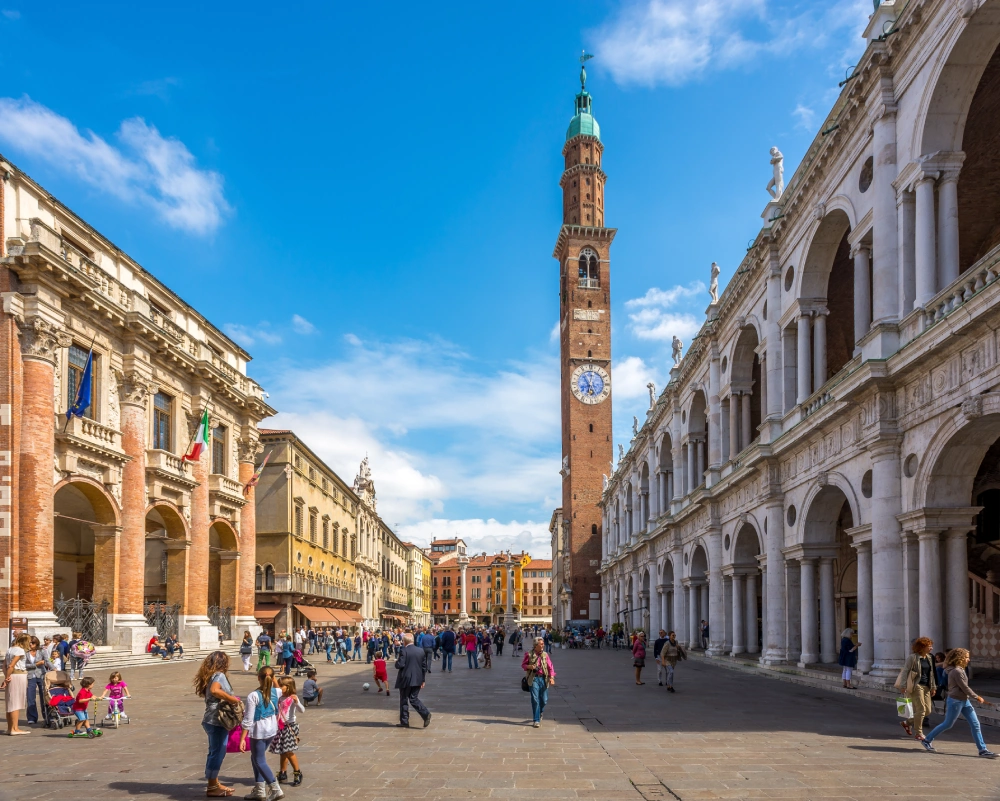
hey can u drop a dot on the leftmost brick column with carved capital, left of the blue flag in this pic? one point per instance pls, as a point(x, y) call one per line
point(41, 341)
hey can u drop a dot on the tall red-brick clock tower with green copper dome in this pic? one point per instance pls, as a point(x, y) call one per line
point(583, 250)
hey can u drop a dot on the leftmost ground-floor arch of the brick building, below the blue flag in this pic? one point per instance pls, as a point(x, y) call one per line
point(85, 534)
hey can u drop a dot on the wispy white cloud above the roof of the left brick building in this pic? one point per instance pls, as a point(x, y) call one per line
point(148, 169)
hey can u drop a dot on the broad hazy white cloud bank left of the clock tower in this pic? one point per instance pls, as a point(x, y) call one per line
point(439, 427)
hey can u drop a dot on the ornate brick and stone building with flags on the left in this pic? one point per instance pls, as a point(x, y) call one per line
point(102, 507)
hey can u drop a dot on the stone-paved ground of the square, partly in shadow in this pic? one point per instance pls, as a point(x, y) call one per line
point(724, 734)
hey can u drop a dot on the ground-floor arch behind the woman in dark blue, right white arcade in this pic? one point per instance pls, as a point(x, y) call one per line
point(828, 576)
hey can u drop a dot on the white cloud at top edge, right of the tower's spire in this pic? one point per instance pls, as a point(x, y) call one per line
point(650, 42)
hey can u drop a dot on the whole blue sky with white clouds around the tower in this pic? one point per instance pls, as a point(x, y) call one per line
point(366, 197)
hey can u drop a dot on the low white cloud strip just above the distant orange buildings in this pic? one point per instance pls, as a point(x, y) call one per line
point(480, 535)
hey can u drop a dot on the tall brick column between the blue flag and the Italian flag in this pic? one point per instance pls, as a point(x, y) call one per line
point(130, 629)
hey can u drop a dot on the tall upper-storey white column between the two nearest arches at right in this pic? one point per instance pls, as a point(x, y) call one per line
point(885, 264)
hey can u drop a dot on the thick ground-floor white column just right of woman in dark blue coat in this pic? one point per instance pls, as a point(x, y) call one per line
point(887, 559)
